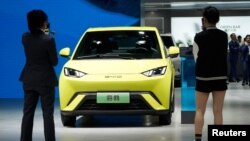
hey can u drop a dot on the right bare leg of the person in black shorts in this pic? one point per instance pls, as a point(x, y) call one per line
point(218, 100)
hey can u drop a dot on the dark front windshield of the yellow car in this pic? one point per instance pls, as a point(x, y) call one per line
point(119, 44)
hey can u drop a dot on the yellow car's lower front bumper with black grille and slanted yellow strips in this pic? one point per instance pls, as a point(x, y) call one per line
point(140, 103)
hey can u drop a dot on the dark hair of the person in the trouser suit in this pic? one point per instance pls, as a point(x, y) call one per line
point(36, 19)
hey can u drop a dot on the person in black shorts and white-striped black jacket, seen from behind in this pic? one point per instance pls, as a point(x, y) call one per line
point(210, 52)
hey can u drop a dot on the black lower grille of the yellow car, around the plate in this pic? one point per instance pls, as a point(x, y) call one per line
point(136, 103)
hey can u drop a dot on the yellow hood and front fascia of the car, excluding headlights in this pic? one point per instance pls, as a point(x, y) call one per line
point(109, 78)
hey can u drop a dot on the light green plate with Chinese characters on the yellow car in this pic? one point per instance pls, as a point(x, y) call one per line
point(112, 97)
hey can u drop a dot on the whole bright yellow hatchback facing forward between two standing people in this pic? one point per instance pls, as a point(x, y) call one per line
point(118, 70)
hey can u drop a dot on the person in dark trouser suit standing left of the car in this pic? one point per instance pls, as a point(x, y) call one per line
point(38, 75)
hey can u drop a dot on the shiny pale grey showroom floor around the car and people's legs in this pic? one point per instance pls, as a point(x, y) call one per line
point(125, 128)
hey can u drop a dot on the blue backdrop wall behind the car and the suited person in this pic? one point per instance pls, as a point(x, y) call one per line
point(68, 18)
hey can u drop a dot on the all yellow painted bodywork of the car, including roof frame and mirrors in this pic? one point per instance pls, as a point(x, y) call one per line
point(117, 75)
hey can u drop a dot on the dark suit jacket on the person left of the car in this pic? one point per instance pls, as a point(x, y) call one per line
point(41, 57)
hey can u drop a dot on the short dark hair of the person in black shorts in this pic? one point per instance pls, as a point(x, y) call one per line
point(212, 14)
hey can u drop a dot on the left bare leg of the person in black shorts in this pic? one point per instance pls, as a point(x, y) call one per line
point(201, 102)
